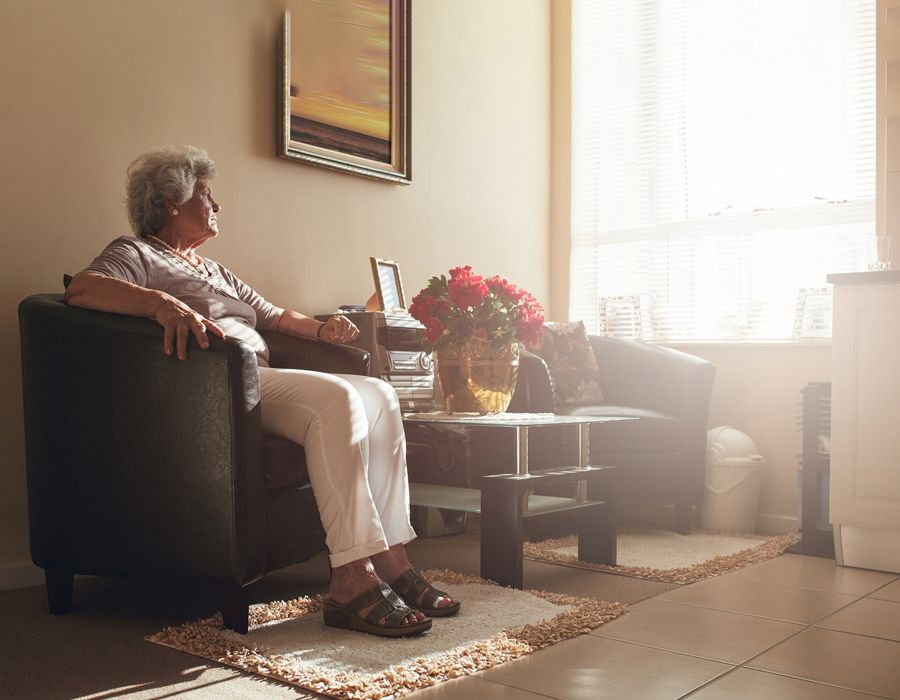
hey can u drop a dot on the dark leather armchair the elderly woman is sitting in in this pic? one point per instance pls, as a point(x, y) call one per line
point(142, 465)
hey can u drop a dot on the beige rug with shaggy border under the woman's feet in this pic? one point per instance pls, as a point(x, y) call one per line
point(288, 640)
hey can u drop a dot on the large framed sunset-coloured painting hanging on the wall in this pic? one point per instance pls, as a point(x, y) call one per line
point(346, 87)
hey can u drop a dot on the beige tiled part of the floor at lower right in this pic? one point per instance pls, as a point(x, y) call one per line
point(793, 627)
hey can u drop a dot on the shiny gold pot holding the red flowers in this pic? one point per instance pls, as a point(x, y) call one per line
point(478, 378)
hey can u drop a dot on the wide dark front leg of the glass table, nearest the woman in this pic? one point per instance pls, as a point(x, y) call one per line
point(501, 531)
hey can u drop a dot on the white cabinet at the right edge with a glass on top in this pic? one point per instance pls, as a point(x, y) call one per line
point(865, 420)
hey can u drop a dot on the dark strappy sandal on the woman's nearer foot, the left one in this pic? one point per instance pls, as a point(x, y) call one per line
point(387, 606)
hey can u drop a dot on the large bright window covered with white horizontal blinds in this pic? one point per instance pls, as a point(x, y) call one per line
point(723, 162)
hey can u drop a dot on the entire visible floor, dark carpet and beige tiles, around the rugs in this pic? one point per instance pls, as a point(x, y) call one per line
point(791, 628)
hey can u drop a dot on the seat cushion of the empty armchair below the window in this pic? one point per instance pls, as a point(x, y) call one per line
point(651, 432)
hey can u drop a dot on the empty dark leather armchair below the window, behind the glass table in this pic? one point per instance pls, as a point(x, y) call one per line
point(660, 457)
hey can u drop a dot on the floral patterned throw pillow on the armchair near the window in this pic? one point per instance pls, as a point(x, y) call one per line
point(573, 368)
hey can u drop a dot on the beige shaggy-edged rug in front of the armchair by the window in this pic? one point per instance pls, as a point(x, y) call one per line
point(662, 555)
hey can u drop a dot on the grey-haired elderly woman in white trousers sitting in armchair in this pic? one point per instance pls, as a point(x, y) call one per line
point(350, 425)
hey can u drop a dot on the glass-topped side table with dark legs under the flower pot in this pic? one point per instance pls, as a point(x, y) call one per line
point(506, 500)
